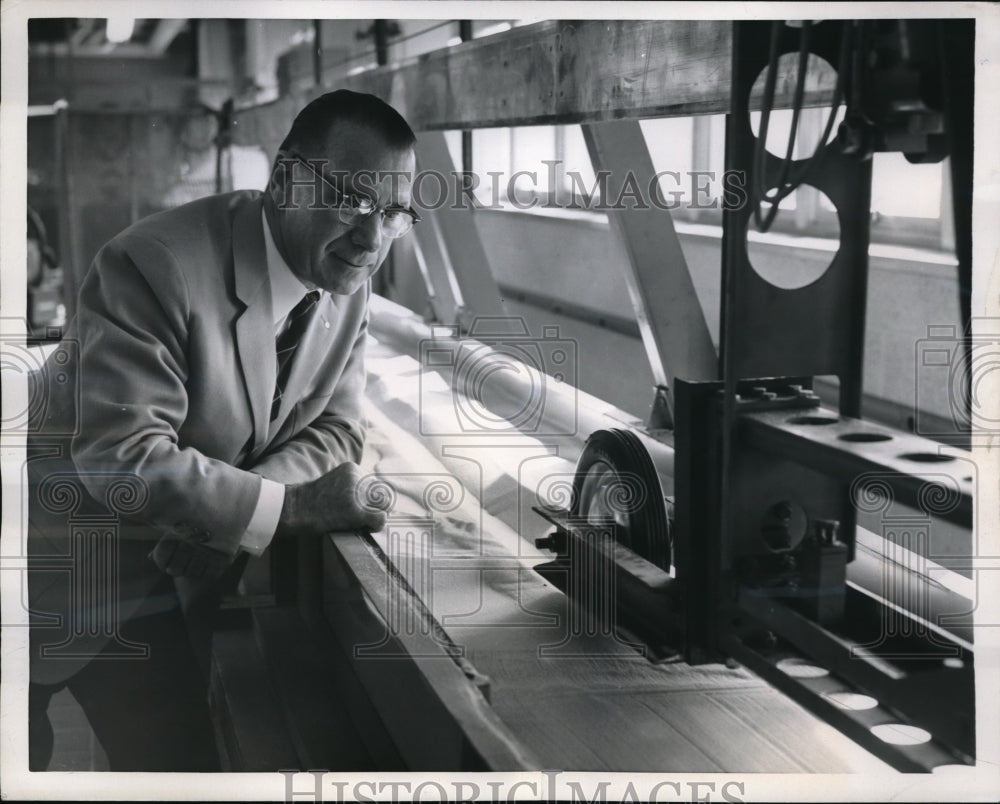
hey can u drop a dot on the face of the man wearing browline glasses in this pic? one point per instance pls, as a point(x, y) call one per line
point(319, 247)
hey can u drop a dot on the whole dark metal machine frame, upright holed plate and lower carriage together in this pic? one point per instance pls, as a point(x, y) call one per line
point(746, 447)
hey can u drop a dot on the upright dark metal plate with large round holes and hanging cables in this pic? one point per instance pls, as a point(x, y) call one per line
point(813, 330)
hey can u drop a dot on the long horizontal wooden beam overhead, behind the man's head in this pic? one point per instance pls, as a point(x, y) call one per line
point(554, 72)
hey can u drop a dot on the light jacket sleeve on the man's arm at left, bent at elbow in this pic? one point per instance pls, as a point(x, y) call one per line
point(132, 322)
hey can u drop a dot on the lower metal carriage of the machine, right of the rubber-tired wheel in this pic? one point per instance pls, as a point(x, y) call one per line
point(759, 605)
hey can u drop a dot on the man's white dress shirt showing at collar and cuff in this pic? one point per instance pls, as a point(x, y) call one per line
point(286, 291)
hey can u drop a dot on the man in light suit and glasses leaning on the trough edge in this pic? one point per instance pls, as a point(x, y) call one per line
point(213, 405)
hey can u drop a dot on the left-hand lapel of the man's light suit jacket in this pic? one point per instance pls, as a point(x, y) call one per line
point(255, 326)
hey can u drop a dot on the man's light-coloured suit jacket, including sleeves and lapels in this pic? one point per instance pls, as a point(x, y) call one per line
point(152, 417)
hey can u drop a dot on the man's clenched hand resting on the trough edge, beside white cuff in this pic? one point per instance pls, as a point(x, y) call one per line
point(329, 503)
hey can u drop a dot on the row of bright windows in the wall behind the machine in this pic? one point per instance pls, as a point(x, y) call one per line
point(533, 167)
